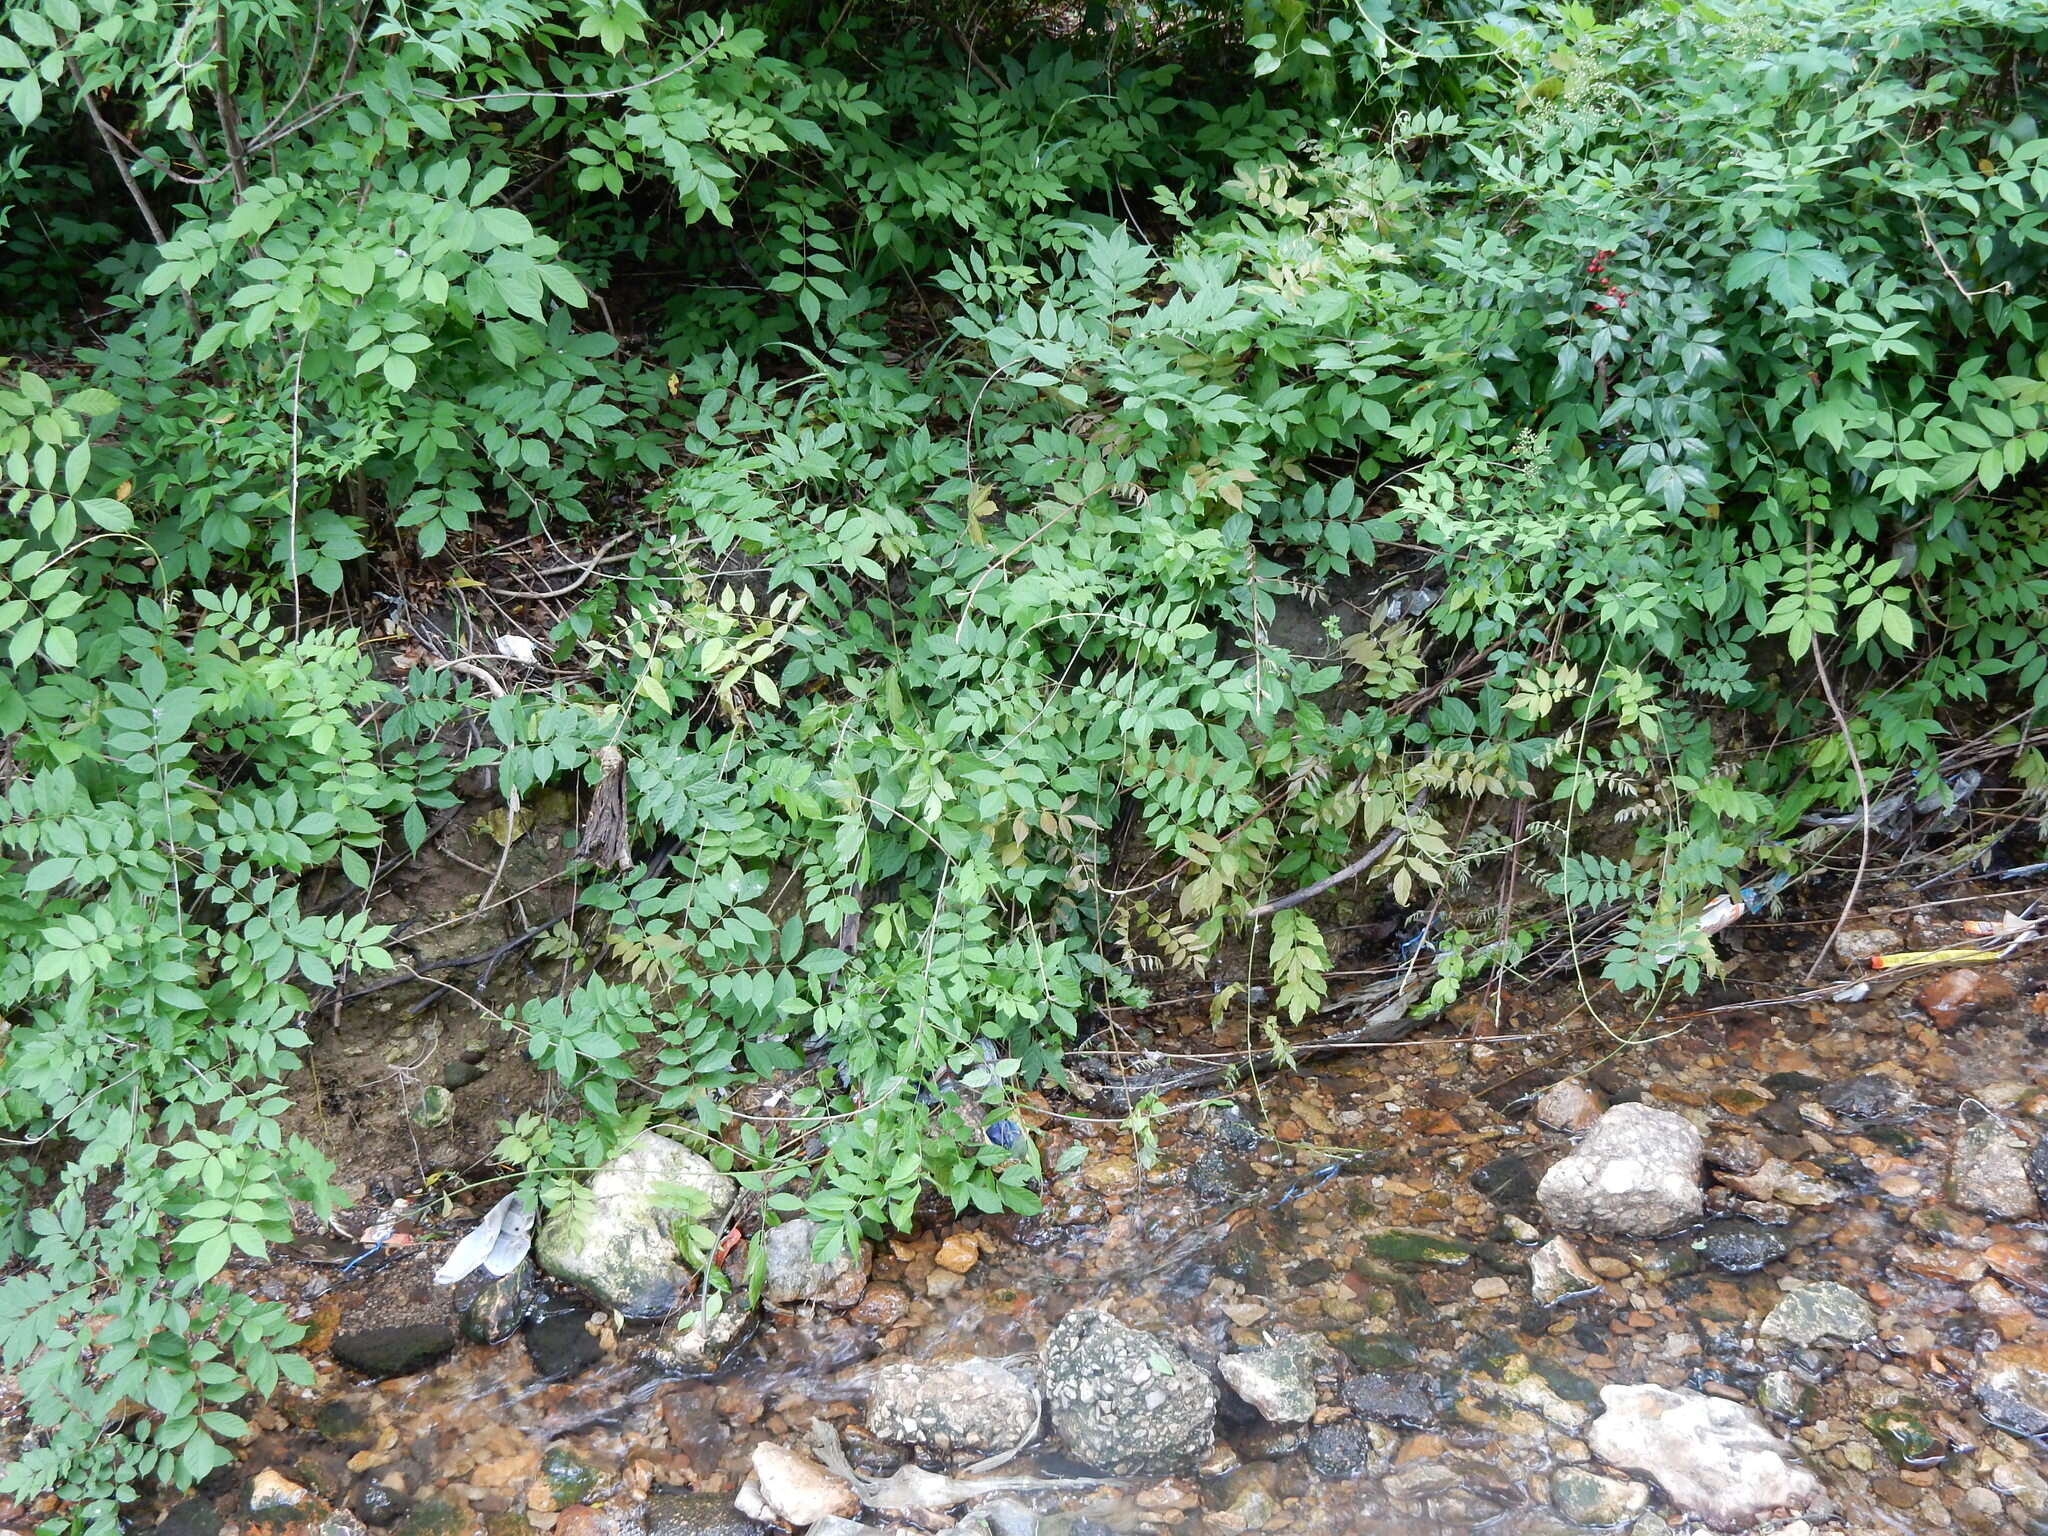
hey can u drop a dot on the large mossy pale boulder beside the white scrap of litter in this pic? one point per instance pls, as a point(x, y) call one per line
point(617, 1240)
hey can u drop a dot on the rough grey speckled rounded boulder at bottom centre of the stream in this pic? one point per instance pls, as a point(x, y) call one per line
point(1125, 1402)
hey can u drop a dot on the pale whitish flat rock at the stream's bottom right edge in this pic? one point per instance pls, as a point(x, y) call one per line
point(1715, 1459)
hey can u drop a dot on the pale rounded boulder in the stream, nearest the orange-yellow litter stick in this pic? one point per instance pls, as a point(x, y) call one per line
point(1637, 1175)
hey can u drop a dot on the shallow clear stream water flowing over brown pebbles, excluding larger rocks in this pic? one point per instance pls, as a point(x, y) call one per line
point(1383, 1203)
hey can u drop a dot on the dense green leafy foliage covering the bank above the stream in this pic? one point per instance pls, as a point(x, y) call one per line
point(988, 407)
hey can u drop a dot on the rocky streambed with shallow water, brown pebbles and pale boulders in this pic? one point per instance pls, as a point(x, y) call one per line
point(1770, 1269)
